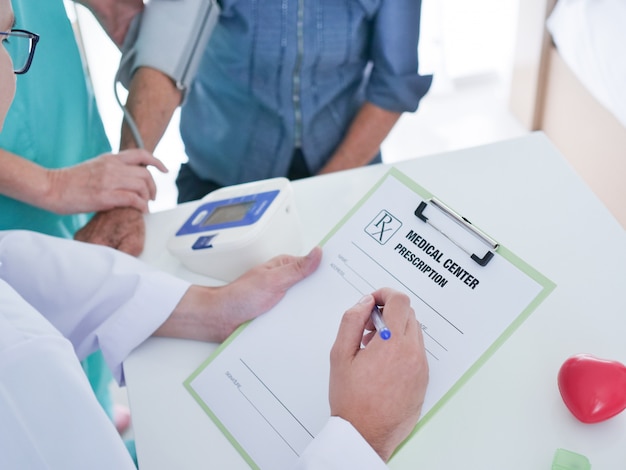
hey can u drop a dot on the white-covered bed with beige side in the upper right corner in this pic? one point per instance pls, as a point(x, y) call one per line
point(576, 88)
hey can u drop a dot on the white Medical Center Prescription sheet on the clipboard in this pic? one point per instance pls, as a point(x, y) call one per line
point(268, 387)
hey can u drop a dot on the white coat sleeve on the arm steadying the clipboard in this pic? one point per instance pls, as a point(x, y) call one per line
point(97, 297)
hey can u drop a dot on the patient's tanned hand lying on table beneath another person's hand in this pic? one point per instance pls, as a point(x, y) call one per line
point(122, 228)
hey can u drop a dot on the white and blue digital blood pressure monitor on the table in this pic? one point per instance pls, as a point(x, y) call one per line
point(238, 227)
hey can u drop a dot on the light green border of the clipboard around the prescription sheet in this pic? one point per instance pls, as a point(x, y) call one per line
point(547, 287)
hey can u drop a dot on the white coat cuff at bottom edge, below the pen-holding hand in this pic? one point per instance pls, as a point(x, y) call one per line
point(339, 446)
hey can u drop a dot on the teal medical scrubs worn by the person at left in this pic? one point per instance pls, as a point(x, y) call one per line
point(54, 122)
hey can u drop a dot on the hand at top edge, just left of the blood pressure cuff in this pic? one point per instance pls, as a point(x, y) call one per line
point(114, 16)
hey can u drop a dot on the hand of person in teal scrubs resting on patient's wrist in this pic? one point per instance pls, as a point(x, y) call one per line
point(102, 183)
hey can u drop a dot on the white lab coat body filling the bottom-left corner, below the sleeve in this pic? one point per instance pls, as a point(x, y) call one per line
point(49, 416)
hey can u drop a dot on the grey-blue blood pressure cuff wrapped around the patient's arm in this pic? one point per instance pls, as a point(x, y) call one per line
point(169, 36)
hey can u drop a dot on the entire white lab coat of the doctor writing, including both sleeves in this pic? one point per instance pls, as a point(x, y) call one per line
point(54, 290)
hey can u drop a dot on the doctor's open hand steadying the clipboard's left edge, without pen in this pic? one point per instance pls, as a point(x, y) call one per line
point(213, 313)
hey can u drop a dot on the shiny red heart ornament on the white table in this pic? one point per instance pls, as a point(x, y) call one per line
point(593, 389)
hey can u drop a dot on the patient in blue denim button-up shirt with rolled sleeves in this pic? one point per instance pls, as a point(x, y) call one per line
point(285, 88)
